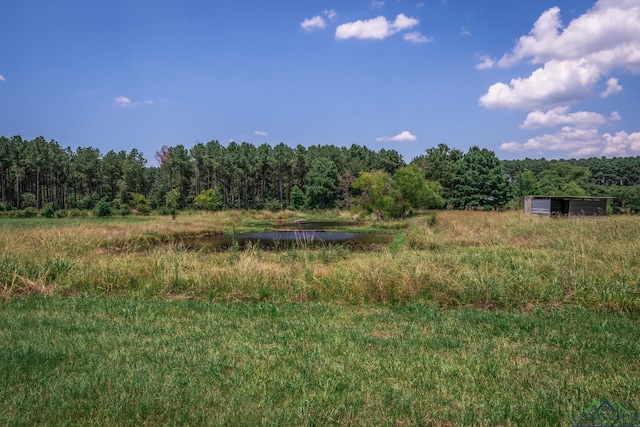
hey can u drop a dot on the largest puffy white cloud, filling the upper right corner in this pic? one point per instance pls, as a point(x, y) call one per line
point(574, 58)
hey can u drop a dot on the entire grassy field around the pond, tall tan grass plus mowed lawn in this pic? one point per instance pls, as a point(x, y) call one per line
point(466, 319)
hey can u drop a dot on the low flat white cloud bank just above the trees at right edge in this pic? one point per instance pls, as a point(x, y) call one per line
point(581, 143)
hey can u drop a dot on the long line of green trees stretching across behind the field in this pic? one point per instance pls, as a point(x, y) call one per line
point(38, 174)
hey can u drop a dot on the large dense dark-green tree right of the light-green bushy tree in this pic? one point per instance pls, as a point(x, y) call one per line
point(480, 181)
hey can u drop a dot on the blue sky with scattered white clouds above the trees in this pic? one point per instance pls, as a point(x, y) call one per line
point(544, 78)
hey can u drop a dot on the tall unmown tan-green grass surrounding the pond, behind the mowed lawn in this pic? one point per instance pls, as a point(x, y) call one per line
point(487, 260)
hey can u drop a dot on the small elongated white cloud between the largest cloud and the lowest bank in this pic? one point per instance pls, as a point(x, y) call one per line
point(559, 116)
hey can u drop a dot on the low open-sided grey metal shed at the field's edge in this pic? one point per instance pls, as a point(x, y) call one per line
point(565, 205)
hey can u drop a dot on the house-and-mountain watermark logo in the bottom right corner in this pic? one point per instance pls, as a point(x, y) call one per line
point(606, 414)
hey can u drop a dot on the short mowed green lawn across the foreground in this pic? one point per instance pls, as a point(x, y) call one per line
point(125, 361)
